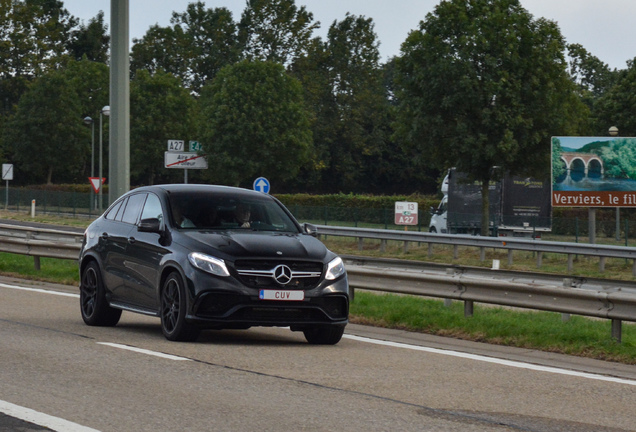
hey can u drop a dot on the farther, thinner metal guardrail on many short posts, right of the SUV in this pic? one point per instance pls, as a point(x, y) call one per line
point(509, 244)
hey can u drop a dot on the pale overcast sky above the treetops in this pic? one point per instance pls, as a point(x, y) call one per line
point(604, 27)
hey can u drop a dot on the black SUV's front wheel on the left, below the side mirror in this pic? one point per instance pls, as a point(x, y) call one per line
point(174, 310)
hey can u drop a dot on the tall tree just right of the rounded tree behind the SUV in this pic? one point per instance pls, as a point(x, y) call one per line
point(344, 86)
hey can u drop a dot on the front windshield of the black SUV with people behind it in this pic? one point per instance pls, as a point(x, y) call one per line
point(205, 210)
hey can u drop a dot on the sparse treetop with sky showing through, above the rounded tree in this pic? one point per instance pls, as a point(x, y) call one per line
point(275, 30)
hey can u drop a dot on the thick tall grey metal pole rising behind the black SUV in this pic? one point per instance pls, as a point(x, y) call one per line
point(119, 152)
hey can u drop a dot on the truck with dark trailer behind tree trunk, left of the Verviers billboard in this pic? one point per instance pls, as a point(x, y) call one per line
point(519, 206)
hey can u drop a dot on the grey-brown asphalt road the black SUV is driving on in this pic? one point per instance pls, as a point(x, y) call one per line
point(58, 374)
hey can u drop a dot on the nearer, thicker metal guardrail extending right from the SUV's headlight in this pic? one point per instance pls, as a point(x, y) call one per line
point(614, 300)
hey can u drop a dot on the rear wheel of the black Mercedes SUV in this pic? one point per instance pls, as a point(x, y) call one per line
point(93, 304)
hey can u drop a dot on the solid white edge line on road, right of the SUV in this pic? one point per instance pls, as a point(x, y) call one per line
point(494, 360)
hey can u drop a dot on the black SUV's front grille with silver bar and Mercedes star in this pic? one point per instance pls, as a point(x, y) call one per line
point(305, 275)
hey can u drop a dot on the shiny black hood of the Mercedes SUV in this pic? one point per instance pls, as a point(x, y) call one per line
point(232, 245)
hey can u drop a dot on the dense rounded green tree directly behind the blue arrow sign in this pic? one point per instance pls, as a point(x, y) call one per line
point(254, 123)
